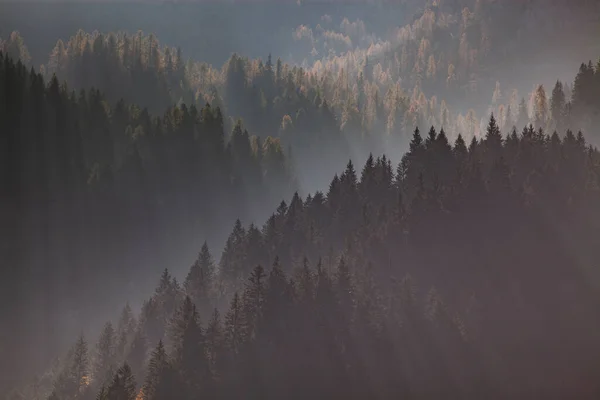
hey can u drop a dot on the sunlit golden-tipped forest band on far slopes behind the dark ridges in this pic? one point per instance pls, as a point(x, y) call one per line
point(365, 99)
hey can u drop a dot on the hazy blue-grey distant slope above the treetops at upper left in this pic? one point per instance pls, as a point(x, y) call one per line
point(209, 31)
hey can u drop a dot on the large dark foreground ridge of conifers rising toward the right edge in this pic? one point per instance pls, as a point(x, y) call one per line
point(463, 272)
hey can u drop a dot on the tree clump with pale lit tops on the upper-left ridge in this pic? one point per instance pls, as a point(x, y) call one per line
point(135, 68)
